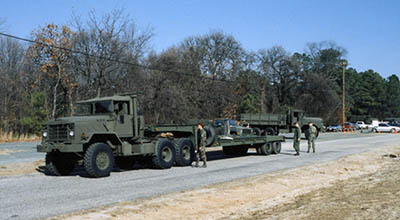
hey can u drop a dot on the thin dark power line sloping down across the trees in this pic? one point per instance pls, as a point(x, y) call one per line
point(108, 59)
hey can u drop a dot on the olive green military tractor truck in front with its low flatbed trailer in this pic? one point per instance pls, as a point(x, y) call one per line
point(110, 130)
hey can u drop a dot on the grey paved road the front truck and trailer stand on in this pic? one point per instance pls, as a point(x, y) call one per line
point(38, 196)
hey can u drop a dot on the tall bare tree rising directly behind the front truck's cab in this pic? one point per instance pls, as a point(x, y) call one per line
point(113, 37)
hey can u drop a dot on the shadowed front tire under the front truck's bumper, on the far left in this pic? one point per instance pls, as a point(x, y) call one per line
point(59, 164)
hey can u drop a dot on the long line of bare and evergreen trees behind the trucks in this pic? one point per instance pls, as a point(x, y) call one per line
point(204, 76)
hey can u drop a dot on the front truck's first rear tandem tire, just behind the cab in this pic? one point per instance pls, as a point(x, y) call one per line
point(165, 154)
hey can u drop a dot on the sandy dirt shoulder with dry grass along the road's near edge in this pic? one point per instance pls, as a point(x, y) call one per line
point(309, 192)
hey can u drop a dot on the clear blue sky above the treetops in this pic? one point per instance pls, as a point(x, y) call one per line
point(368, 29)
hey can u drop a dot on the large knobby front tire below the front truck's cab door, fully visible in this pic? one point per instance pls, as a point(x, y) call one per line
point(99, 160)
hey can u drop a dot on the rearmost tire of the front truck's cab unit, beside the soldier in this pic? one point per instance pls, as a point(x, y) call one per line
point(184, 152)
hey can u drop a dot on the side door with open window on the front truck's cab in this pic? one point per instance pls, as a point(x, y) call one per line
point(124, 123)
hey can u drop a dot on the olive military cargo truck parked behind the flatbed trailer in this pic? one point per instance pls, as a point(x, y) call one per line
point(272, 124)
